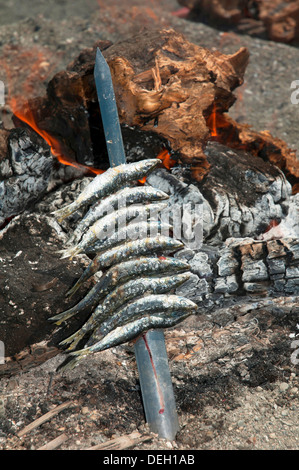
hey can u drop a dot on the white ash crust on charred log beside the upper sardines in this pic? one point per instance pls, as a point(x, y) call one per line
point(229, 218)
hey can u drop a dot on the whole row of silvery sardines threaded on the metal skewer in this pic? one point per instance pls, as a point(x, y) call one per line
point(127, 241)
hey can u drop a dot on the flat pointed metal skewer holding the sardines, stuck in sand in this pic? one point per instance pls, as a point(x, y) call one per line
point(151, 356)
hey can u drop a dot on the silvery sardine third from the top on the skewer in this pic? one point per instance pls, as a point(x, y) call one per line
point(106, 226)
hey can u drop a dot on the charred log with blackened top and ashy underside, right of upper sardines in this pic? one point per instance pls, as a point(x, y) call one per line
point(240, 197)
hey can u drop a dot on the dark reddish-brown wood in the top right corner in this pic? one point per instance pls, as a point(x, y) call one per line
point(278, 20)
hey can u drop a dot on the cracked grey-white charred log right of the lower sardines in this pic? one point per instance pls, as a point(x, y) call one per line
point(243, 272)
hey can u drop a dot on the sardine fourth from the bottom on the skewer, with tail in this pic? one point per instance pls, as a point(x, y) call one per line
point(119, 274)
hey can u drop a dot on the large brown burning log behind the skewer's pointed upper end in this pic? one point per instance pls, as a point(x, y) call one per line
point(165, 86)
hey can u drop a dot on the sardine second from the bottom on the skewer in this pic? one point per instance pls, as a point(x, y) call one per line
point(146, 305)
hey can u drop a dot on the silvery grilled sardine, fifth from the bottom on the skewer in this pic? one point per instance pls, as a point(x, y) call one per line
point(127, 250)
